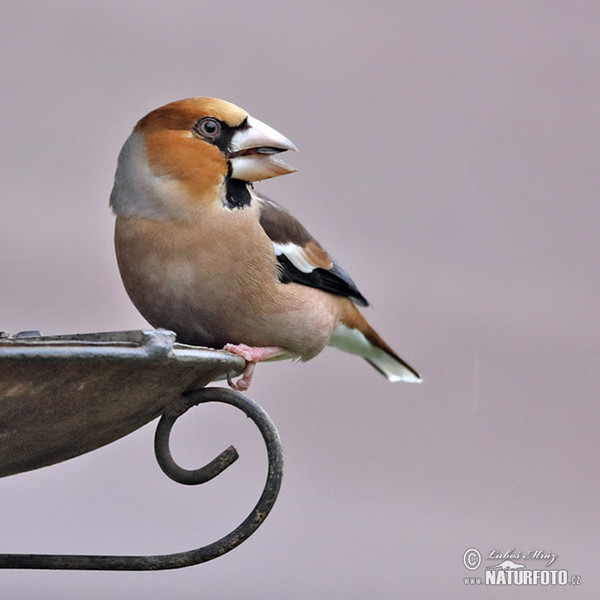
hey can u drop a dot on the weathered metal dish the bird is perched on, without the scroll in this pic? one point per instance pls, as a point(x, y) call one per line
point(62, 396)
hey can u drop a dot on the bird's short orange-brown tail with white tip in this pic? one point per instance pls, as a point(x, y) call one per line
point(356, 336)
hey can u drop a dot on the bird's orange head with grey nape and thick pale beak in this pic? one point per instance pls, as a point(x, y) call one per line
point(196, 143)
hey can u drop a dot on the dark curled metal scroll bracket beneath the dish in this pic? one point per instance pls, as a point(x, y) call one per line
point(174, 471)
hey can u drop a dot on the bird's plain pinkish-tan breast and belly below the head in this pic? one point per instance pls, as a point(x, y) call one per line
point(216, 282)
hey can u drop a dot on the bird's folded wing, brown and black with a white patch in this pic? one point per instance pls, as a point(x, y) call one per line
point(301, 258)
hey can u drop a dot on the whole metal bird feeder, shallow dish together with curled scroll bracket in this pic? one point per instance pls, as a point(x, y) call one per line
point(62, 396)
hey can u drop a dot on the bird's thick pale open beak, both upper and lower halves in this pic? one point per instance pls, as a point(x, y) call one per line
point(253, 150)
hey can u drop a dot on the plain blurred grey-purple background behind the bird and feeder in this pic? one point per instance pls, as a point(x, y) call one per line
point(449, 159)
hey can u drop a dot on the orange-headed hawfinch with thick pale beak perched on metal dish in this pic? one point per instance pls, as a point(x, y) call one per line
point(203, 254)
